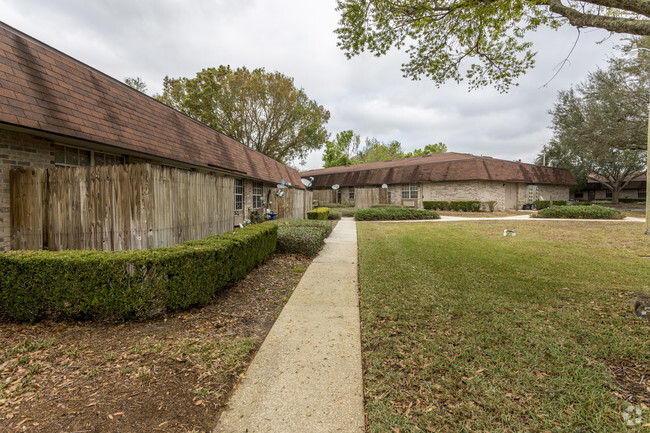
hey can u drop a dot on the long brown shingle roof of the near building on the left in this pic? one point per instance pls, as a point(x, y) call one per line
point(46, 90)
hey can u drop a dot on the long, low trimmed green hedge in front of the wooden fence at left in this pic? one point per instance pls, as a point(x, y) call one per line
point(131, 284)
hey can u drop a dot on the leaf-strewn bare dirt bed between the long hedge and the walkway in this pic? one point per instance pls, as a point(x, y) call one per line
point(172, 374)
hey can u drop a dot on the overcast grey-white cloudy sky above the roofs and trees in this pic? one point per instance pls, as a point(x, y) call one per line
point(155, 38)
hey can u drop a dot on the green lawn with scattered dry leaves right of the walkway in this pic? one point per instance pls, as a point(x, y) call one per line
point(466, 331)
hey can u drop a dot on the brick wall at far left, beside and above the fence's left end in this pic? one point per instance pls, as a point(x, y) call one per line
point(18, 150)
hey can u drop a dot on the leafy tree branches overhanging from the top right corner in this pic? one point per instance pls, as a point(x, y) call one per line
point(442, 36)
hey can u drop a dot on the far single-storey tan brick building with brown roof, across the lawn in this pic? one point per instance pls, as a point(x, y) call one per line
point(443, 177)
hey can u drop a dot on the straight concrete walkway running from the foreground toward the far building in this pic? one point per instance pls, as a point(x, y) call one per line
point(307, 375)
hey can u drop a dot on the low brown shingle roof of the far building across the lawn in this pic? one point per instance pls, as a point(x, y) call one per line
point(442, 167)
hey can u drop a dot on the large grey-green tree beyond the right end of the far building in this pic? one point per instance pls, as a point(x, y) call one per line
point(600, 127)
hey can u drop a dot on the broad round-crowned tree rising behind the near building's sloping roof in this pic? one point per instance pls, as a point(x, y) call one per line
point(262, 110)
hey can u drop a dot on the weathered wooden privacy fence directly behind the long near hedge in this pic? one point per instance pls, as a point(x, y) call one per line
point(117, 207)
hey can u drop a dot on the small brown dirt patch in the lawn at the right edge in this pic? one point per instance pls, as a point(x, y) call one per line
point(633, 378)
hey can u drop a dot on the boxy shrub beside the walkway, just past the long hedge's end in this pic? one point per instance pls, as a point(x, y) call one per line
point(302, 236)
